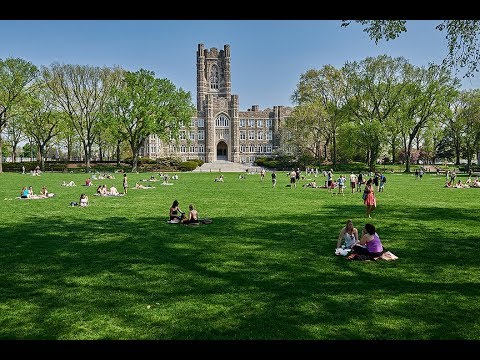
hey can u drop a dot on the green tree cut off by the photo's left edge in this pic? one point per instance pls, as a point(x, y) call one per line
point(16, 76)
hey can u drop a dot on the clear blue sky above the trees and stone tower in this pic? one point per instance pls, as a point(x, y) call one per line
point(267, 56)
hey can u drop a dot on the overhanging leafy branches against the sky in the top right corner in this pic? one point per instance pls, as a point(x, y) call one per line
point(462, 39)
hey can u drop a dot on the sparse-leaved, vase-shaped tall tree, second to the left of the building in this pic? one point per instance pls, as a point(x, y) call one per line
point(81, 92)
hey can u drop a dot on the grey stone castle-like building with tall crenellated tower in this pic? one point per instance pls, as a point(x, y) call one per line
point(220, 131)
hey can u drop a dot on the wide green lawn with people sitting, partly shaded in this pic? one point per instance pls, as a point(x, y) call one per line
point(264, 269)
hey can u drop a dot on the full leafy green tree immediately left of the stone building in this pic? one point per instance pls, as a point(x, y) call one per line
point(143, 105)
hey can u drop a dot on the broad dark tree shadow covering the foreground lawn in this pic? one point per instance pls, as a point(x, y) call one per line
point(145, 279)
